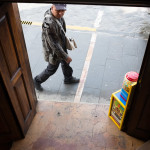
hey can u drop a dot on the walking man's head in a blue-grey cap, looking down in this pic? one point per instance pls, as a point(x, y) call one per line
point(58, 10)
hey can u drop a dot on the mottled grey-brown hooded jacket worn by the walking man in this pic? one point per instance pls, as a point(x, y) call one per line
point(53, 39)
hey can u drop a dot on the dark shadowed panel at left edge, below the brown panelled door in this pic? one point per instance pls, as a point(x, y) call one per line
point(8, 126)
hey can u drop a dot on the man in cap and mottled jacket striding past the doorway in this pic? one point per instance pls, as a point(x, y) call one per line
point(54, 46)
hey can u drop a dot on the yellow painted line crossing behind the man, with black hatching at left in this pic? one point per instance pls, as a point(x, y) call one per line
point(68, 26)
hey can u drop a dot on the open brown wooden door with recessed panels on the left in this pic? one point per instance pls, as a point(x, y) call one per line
point(14, 67)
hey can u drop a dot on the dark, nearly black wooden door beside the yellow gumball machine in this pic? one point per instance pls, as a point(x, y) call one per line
point(138, 121)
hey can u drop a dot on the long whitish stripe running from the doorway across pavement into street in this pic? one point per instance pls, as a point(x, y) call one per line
point(87, 60)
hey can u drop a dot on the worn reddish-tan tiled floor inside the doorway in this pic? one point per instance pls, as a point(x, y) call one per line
point(74, 126)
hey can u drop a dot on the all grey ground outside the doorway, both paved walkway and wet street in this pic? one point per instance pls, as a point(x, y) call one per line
point(121, 38)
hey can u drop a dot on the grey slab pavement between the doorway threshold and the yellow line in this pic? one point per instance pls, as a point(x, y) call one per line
point(114, 54)
